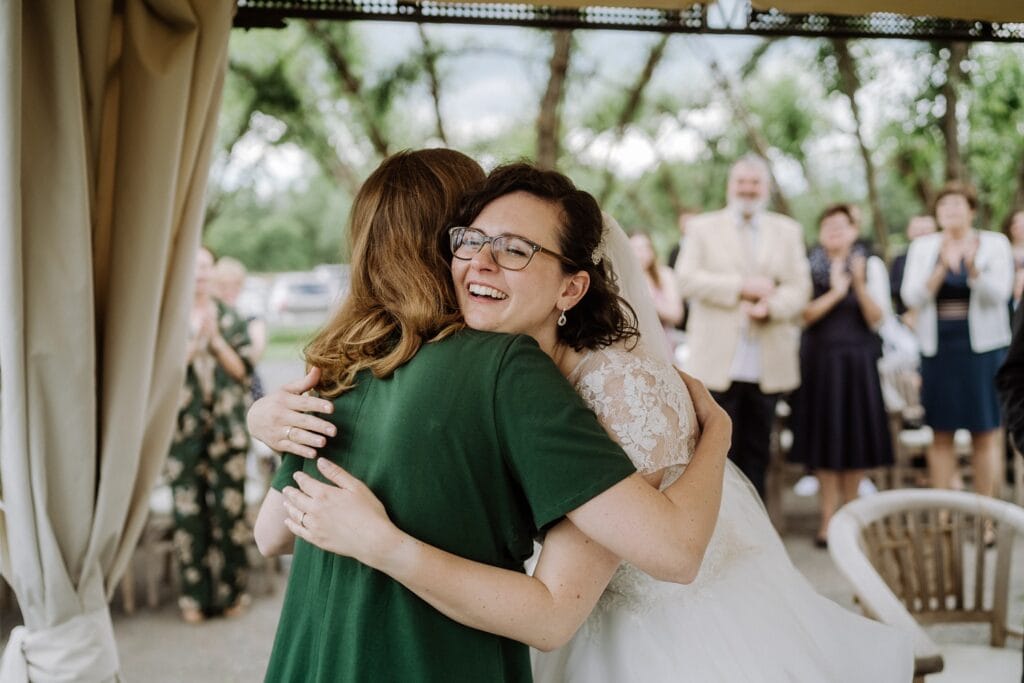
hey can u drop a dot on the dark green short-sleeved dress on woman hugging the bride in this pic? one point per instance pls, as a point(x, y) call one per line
point(474, 447)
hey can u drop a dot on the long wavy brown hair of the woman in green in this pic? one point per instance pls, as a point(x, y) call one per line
point(401, 292)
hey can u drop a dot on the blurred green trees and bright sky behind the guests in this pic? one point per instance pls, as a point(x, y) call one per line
point(311, 110)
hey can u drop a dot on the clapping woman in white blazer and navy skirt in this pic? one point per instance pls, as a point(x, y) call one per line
point(960, 282)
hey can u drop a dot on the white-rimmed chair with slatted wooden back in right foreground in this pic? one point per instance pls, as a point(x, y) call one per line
point(913, 560)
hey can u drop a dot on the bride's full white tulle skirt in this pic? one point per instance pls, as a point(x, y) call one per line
point(751, 616)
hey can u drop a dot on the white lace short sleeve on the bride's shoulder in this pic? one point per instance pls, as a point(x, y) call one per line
point(643, 404)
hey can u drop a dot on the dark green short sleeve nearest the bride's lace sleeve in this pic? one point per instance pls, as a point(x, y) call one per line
point(554, 445)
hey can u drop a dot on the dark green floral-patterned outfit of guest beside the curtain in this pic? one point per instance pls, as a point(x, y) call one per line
point(206, 469)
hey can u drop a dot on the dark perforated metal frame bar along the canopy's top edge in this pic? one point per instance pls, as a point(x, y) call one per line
point(722, 18)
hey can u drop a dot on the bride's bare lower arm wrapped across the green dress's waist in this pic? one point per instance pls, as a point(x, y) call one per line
point(543, 611)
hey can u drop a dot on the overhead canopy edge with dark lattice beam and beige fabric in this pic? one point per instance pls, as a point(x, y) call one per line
point(982, 21)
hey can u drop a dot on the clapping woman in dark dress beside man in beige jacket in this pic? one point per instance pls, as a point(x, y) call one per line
point(840, 425)
